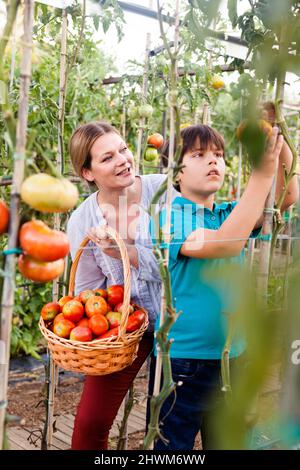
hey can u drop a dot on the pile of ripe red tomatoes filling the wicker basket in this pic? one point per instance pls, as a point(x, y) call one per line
point(93, 314)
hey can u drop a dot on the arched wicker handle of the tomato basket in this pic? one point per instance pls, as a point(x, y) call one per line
point(126, 269)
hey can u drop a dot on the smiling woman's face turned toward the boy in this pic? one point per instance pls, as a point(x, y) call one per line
point(111, 163)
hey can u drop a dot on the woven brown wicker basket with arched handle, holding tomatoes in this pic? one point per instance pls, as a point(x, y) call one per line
point(104, 356)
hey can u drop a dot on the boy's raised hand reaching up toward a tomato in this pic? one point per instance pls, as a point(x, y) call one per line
point(268, 165)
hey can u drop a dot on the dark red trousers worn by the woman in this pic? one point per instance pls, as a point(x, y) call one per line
point(101, 399)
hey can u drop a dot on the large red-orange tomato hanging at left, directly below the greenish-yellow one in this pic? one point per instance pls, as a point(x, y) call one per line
point(43, 243)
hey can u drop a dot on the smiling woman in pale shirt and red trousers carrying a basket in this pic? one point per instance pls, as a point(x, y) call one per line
point(101, 157)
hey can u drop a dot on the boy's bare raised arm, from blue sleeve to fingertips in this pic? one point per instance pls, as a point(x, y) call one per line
point(233, 234)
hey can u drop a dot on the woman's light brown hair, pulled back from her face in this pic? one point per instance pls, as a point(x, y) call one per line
point(82, 141)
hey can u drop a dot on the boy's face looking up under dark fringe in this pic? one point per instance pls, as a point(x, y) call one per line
point(203, 172)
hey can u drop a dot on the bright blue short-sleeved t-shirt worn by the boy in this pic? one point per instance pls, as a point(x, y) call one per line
point(203, 294)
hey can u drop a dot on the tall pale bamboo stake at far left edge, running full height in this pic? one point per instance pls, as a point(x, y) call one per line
point(18, 175)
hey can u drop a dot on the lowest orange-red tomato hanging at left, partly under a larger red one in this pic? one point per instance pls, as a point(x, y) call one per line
point(40, 271)
